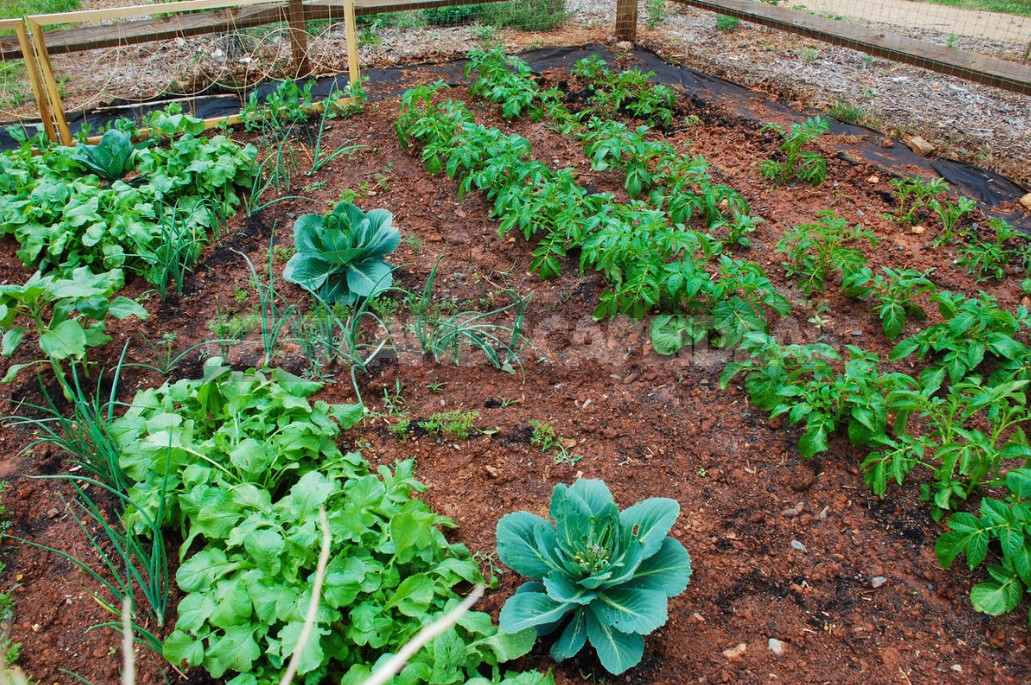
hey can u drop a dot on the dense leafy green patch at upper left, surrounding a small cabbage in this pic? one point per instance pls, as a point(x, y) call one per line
point(64, 220)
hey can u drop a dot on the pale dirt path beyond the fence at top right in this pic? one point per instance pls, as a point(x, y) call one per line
point(907, 14)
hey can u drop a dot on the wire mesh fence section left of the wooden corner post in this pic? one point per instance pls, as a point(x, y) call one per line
point(240, 55)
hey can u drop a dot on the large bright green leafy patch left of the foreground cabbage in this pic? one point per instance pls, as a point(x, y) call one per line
point(247, 461)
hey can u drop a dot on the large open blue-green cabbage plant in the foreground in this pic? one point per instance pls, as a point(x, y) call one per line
point(601, 575)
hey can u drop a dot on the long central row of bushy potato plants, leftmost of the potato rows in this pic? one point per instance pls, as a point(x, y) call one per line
point(648, 263)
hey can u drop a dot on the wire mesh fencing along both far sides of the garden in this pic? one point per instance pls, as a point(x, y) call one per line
point(249, 48)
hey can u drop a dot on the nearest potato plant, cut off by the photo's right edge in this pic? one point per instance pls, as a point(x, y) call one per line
point(1007, 521)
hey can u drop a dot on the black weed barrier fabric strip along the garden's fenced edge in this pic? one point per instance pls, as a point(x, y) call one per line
point(991, 190)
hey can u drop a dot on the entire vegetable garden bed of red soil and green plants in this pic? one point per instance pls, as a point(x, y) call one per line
point(694, 398)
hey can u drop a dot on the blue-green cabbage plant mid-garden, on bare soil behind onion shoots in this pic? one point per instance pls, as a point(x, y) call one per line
point(341, 255)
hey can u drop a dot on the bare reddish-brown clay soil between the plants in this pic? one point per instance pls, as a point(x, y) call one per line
point(784, 548)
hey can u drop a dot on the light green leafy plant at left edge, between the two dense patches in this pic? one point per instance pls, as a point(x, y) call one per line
point(70, 316)
